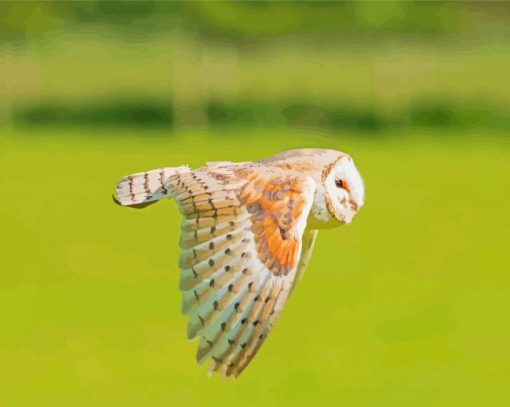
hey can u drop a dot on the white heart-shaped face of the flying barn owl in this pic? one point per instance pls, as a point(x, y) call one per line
point(343, 190)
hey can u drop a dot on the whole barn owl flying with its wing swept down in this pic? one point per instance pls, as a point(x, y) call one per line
point(247, 234)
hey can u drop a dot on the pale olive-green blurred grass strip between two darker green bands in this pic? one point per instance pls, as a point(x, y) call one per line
point(90, 65)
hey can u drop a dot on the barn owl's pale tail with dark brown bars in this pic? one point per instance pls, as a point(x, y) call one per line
point(145, 188)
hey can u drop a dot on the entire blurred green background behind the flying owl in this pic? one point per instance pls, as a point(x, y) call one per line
point(408, 306)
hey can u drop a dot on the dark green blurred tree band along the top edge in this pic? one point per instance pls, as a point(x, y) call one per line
point(251, 21)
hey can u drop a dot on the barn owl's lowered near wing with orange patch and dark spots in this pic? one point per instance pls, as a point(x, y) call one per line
point(241, 242)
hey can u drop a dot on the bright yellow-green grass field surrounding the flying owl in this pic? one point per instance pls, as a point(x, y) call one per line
point(405, 307)
